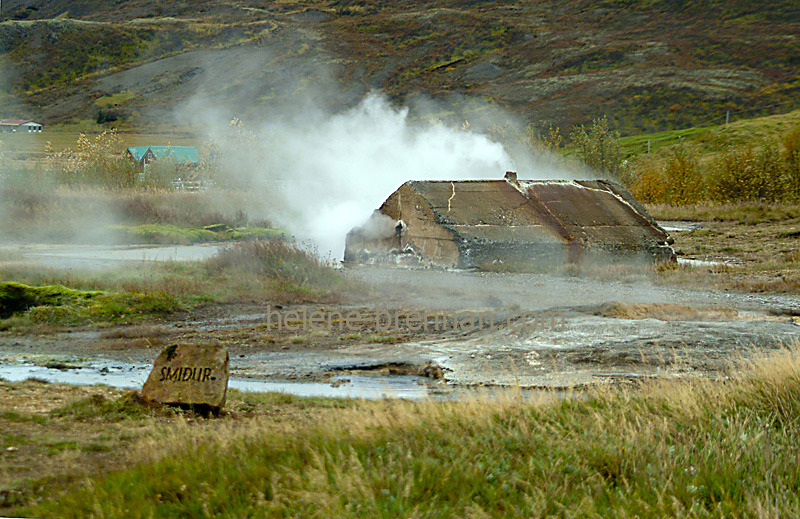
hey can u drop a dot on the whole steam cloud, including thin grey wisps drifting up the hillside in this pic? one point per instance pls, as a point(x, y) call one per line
point(318, 170)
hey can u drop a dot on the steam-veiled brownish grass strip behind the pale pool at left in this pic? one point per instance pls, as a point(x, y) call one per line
point(39, 208)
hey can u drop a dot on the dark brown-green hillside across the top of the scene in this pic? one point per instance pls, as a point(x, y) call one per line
point(649, 66)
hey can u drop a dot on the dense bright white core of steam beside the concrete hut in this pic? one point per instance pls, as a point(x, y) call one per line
point(319, 176)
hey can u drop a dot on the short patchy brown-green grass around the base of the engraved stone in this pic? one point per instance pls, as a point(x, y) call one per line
point(51, 434)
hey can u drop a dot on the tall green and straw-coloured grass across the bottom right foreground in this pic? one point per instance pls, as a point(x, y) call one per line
point(686, 448)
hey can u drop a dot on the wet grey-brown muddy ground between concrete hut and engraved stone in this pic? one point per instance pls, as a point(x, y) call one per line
point(454, 329)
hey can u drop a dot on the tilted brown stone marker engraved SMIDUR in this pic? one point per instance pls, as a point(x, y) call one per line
point(189, 374)
